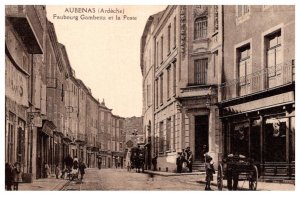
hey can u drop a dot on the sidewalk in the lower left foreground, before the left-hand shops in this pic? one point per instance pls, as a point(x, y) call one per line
point(45, 184)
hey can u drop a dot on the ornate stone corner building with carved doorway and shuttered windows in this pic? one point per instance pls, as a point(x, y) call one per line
point(187, 42)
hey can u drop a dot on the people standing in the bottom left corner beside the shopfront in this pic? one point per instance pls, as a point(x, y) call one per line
point(13, 176)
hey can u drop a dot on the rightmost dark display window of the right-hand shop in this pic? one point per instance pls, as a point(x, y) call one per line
point(275, 140)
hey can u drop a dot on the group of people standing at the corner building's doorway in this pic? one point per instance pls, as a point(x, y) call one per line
point(184, 159)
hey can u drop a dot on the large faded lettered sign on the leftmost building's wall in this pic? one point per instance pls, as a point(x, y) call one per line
point(16, 84)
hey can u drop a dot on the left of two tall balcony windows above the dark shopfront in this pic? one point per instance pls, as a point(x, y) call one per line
point(244, 69)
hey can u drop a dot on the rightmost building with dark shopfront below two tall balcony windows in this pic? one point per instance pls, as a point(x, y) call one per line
point(257, 99)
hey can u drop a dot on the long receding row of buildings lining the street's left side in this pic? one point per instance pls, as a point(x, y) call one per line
point(49, 112)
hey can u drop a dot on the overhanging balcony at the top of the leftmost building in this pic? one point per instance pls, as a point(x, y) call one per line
point(27, 24)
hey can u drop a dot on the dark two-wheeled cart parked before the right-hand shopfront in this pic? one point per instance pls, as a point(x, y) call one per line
point(237, 167)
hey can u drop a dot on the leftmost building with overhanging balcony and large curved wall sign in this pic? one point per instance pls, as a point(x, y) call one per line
point(25, 29)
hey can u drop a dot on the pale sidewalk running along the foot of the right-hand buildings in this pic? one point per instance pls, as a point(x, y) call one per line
point(243, 185)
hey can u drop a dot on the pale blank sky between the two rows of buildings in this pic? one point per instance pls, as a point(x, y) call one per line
point(105, 54)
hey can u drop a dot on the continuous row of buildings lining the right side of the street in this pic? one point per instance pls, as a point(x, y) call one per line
point(224, 78)
